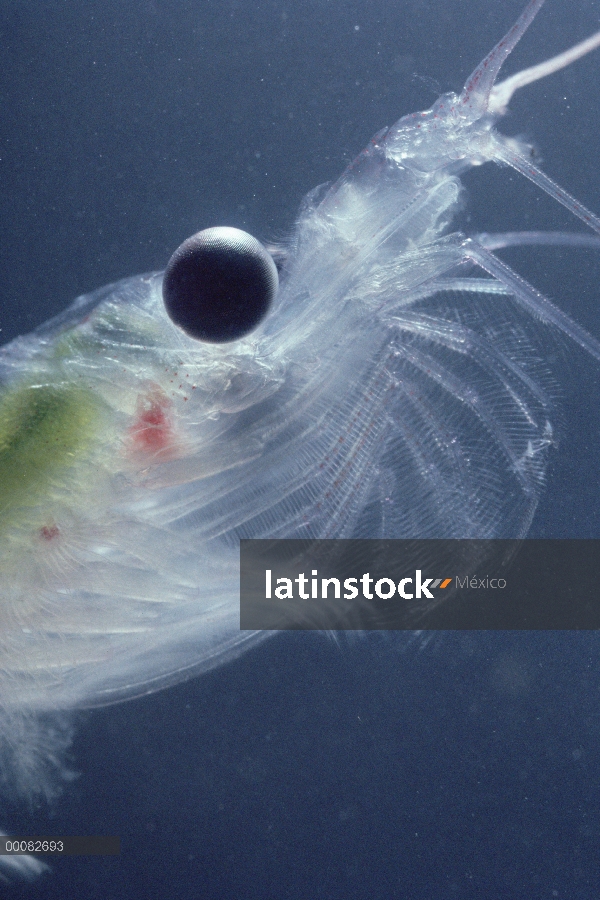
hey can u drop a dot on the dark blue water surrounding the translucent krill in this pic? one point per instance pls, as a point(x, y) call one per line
point(470, 768)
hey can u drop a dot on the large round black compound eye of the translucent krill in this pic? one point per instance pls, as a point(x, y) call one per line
point(219, 284)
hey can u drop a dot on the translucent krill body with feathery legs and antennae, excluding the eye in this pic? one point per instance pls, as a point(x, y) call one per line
point(398, 388)
